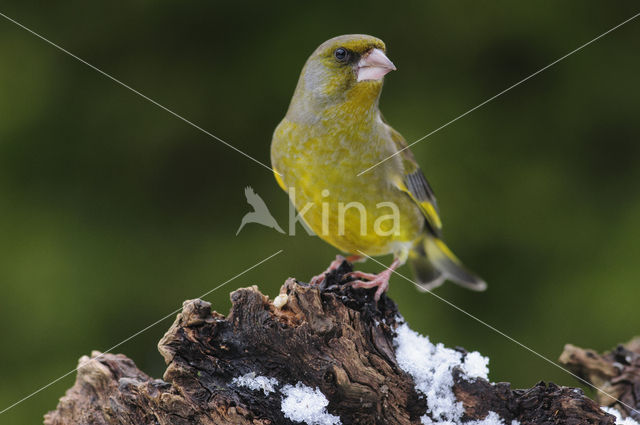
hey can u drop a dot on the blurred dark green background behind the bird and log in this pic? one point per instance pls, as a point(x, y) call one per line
point(112, 212)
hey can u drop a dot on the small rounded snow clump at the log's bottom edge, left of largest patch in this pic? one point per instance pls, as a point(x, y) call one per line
point(307, 405)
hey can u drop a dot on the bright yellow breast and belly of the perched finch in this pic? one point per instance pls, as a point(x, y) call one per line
point(321, 170)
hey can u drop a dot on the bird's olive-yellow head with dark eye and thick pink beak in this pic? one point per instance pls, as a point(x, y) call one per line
point(345, 68)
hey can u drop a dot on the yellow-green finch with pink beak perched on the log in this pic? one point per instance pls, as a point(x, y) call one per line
point(332, 131)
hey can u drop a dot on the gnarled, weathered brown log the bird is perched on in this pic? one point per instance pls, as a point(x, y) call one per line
point(332, 338)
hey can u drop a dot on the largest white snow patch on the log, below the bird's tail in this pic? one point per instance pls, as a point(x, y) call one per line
point(431, 367)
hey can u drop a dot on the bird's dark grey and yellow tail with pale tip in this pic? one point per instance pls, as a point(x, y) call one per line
point(433, 263)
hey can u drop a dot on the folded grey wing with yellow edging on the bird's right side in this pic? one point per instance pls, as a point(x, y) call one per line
point(415, 184)
